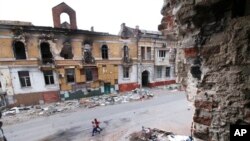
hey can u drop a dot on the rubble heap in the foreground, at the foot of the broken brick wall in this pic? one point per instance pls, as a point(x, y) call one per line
point(148, 134)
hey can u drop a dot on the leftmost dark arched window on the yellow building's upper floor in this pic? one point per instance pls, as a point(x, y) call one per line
point(19, 50)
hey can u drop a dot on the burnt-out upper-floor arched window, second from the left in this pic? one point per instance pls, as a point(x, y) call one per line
point(46, 55)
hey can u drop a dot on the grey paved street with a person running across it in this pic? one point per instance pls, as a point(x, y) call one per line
point(166, 111)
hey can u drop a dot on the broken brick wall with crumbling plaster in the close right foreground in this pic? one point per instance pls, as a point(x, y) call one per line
point(212, 61)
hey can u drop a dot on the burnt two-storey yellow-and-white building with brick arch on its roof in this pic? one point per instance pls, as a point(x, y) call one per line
point(48, 64)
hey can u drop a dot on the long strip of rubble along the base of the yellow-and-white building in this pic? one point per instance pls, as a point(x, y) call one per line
point(23, 113)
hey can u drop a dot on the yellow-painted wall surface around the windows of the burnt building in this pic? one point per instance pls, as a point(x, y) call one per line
point(106, 74)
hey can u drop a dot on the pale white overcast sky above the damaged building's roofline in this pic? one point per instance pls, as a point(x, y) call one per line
point(104, 15)
